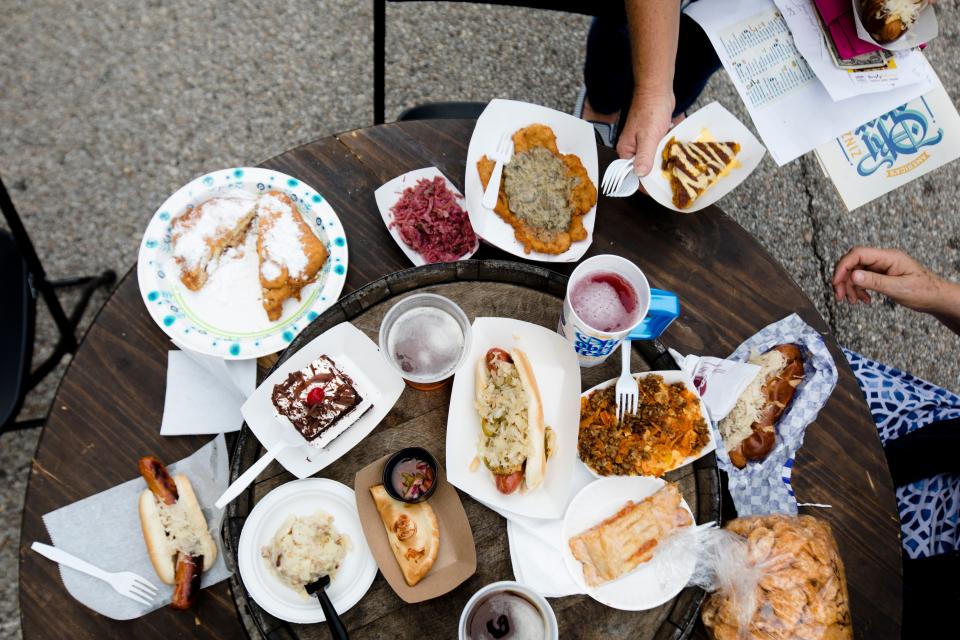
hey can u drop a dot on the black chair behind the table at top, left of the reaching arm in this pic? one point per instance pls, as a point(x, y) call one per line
point(445, 110)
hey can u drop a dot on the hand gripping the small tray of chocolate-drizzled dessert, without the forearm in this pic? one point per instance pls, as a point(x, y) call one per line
point(647, 122)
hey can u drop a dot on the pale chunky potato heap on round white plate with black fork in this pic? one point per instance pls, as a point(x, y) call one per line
point(306, 548)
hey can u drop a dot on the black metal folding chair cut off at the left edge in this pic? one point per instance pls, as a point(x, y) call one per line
point(22, 279)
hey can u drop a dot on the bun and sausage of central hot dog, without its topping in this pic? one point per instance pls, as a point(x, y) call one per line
point(529, 474)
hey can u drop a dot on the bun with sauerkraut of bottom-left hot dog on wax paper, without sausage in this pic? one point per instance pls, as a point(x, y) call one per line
point(189, 530)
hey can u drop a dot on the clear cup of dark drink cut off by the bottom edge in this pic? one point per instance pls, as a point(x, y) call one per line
point(508, 611)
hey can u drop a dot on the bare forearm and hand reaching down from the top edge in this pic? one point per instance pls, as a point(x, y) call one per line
point(654, 29)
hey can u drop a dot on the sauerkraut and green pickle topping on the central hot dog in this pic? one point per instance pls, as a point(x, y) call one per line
point(502, 405)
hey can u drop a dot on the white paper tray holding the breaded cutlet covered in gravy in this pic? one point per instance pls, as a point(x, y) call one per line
point(506, 116)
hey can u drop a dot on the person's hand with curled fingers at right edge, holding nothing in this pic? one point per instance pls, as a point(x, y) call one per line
point(890, 272)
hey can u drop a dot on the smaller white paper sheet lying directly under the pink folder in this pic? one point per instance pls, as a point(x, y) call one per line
point(801, 17)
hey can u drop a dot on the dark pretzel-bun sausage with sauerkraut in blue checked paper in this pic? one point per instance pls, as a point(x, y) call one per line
point(749, 431)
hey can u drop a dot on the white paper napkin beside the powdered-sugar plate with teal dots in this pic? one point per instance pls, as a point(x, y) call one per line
point(205, 393)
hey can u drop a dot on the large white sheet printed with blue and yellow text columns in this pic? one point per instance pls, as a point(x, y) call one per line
point(790, 107)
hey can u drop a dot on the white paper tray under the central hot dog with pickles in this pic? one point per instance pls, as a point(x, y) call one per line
point(557, 373)
